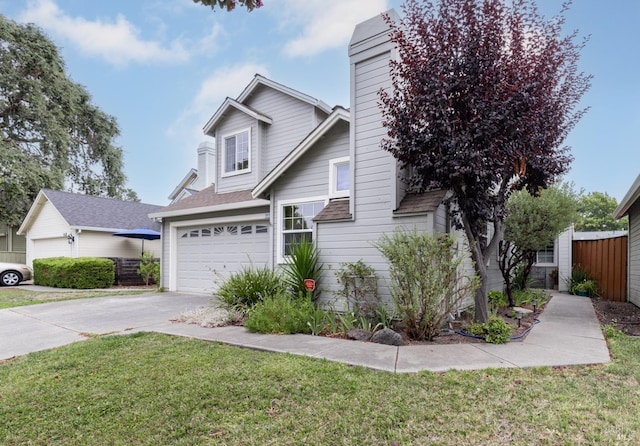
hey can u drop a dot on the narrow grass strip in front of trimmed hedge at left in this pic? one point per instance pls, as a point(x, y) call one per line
point(11, 297)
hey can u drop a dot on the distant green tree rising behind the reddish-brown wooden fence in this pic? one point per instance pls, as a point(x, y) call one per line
point(595, 211)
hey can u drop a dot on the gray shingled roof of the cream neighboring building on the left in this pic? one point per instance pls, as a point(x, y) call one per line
point(88, 211)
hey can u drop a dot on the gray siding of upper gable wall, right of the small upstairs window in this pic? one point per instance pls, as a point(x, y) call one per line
point(292, 121)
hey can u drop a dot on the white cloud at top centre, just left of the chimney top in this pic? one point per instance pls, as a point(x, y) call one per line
point(325, 24)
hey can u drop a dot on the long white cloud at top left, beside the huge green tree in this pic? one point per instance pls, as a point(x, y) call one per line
point(118, 41)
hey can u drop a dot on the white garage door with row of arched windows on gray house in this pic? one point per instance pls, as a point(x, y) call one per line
point(208, 254)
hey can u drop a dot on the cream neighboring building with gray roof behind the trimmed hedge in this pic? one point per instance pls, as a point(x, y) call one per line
point(77, 225)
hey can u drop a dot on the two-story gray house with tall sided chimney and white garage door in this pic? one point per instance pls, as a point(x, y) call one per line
point(288, 167)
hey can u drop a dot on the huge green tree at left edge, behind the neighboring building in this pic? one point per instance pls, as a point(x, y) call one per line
point(51, 135)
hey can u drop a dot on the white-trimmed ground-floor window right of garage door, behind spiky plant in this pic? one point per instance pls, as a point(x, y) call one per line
point(296, 224)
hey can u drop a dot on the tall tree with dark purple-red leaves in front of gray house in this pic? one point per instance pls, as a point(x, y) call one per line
point(484, 92)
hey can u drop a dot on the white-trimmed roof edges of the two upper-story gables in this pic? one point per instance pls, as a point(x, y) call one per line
point(257, 81)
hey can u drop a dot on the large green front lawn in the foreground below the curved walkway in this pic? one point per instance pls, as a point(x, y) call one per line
point(151, 389)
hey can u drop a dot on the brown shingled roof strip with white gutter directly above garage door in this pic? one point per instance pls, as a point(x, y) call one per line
point(207, 200)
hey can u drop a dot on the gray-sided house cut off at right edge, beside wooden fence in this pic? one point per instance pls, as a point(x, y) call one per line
point(630, 205)
